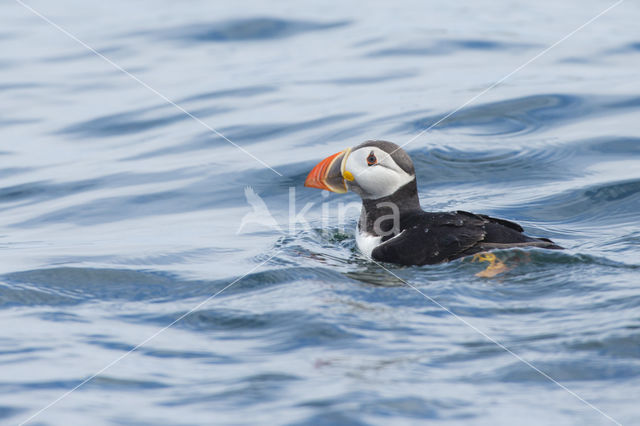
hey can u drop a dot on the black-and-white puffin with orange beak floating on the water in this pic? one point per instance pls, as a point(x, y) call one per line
point(393, 227)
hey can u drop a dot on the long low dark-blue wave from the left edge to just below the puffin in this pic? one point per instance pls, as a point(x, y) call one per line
point(74, 285)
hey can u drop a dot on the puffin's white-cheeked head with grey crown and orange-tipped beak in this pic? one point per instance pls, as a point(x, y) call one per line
point(373, 169)
